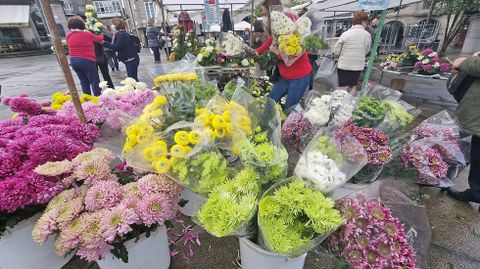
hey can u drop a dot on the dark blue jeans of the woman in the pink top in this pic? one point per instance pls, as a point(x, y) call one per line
point(87, 72)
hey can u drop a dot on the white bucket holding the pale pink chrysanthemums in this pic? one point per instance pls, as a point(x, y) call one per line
point(148, 253)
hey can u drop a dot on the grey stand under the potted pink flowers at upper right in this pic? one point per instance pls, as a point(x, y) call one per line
point(427, 89)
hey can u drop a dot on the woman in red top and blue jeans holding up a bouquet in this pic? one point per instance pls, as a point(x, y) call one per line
point(294, 79)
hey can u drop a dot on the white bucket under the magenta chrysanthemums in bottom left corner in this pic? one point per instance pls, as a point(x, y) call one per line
point(19, 251)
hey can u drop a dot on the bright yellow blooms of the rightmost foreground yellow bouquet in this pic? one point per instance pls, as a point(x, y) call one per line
point(220, 121)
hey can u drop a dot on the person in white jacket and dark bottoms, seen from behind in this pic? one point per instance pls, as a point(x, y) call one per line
point(351, 49)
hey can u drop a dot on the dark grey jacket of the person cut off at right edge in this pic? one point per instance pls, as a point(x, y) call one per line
point(468, 110)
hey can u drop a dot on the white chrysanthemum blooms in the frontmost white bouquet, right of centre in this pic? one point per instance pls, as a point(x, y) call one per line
point(321, 170)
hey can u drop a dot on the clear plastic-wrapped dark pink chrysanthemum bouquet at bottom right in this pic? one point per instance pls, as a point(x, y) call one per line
point(379, 206)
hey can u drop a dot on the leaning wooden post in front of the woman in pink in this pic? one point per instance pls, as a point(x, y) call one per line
point(62, 58)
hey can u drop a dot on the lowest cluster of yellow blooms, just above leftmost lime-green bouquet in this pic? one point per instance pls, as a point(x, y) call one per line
point(162, 157)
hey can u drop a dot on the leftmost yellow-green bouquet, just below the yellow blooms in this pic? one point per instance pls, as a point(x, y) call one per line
point(203, 172)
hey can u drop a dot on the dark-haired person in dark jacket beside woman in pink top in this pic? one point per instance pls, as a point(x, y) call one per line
point(126, 47)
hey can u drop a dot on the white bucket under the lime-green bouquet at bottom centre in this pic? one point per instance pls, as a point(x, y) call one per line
point(255, 257)
